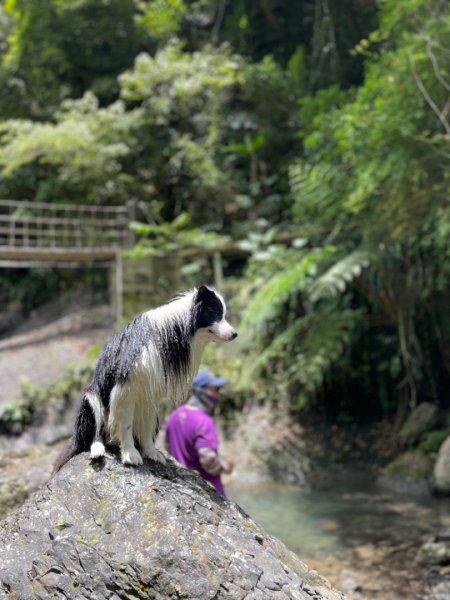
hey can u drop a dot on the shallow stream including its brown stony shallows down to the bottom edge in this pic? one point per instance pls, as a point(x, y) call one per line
point(363, 540)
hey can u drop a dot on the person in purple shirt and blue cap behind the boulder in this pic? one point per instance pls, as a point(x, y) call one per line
point(191, 434)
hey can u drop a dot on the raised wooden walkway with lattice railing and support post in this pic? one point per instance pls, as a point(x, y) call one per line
point(66, 235)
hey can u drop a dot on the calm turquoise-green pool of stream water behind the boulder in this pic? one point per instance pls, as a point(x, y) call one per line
point(319, 522)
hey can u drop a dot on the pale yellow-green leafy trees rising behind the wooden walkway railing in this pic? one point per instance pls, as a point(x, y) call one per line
point(177, 137)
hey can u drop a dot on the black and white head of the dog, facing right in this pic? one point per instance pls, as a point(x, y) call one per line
point(210, 313)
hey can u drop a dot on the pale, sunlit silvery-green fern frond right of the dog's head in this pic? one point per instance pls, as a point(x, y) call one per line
point(334, 281)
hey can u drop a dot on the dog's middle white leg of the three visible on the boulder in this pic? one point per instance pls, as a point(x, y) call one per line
point(121, 419)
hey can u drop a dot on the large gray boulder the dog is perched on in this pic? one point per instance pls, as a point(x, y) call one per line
point(112, 532)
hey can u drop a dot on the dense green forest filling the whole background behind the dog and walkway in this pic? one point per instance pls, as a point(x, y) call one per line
point(313, 132)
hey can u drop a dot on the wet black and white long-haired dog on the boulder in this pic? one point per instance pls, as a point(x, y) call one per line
point(154, 357)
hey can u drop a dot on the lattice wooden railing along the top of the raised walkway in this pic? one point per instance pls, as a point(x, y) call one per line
point(38, 225)
